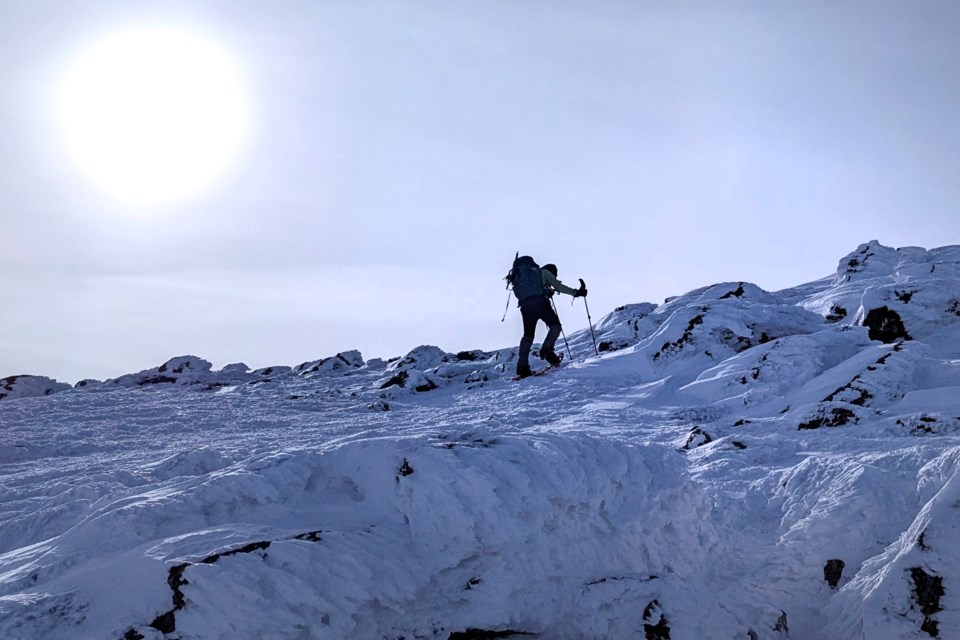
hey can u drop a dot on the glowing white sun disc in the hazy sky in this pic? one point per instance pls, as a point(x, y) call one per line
point(153, 115)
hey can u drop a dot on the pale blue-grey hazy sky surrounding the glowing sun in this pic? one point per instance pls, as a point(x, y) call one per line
point(397, 154)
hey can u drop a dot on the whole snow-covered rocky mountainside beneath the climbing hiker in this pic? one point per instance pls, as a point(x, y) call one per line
point(736, 464)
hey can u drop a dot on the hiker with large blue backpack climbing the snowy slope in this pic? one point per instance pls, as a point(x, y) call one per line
point(534, 286)
